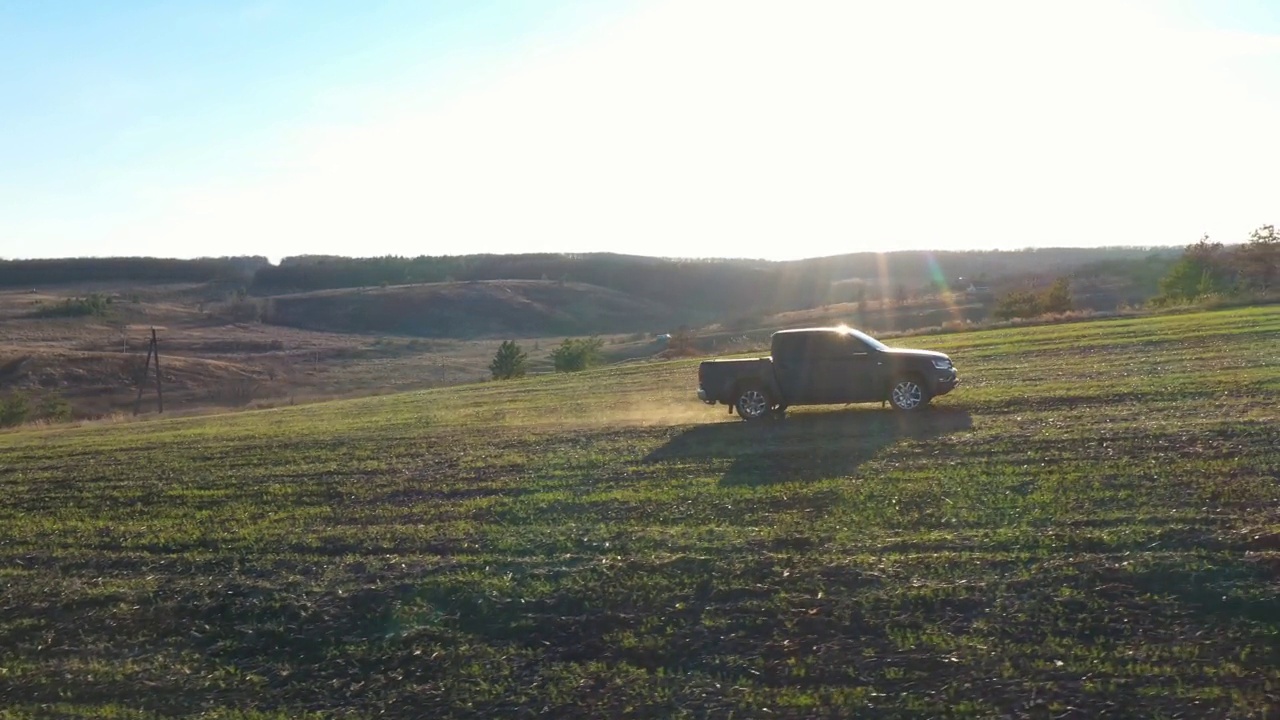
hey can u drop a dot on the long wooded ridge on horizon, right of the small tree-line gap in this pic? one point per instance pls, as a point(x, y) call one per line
point(715, 288)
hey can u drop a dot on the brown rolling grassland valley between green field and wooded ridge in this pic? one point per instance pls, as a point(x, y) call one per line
point(340, 344)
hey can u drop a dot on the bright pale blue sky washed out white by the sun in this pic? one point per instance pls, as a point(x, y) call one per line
point(659, 127)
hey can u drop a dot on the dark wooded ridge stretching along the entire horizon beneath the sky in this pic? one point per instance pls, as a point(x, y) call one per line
point(702, 289)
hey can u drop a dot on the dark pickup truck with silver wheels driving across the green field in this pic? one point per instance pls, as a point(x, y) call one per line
point(825, 367)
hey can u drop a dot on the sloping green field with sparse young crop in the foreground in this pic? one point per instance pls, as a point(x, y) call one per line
point(1089, 527)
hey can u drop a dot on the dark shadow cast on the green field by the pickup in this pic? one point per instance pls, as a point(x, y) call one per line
point(806, 446)
